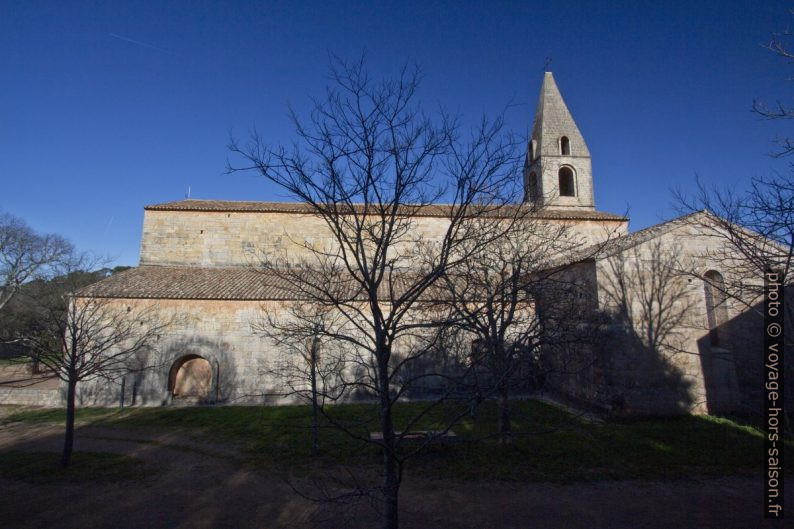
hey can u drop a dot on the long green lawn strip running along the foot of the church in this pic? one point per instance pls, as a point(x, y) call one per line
point(549, 444)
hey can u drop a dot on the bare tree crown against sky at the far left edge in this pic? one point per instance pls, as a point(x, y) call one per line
point(26, 255)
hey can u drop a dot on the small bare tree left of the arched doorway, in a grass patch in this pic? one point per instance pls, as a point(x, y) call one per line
point(82, 338)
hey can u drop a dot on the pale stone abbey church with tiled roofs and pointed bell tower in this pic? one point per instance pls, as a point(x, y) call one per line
point(195, 265)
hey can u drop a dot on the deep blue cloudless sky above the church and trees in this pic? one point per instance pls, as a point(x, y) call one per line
point(111, 105)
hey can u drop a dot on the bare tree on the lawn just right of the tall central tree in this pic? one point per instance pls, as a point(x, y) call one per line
point(494, 297)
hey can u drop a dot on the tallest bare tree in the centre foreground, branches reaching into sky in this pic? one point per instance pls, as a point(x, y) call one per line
point(371, 165)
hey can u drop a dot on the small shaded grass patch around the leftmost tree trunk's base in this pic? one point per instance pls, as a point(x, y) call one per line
point(45, 467)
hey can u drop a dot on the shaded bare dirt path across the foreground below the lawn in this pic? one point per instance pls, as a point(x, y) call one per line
point(203, 485)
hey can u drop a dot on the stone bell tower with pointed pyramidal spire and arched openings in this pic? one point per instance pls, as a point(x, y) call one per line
point(558, 171)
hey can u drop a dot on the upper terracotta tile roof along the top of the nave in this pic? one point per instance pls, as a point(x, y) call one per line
point(436, 210)
